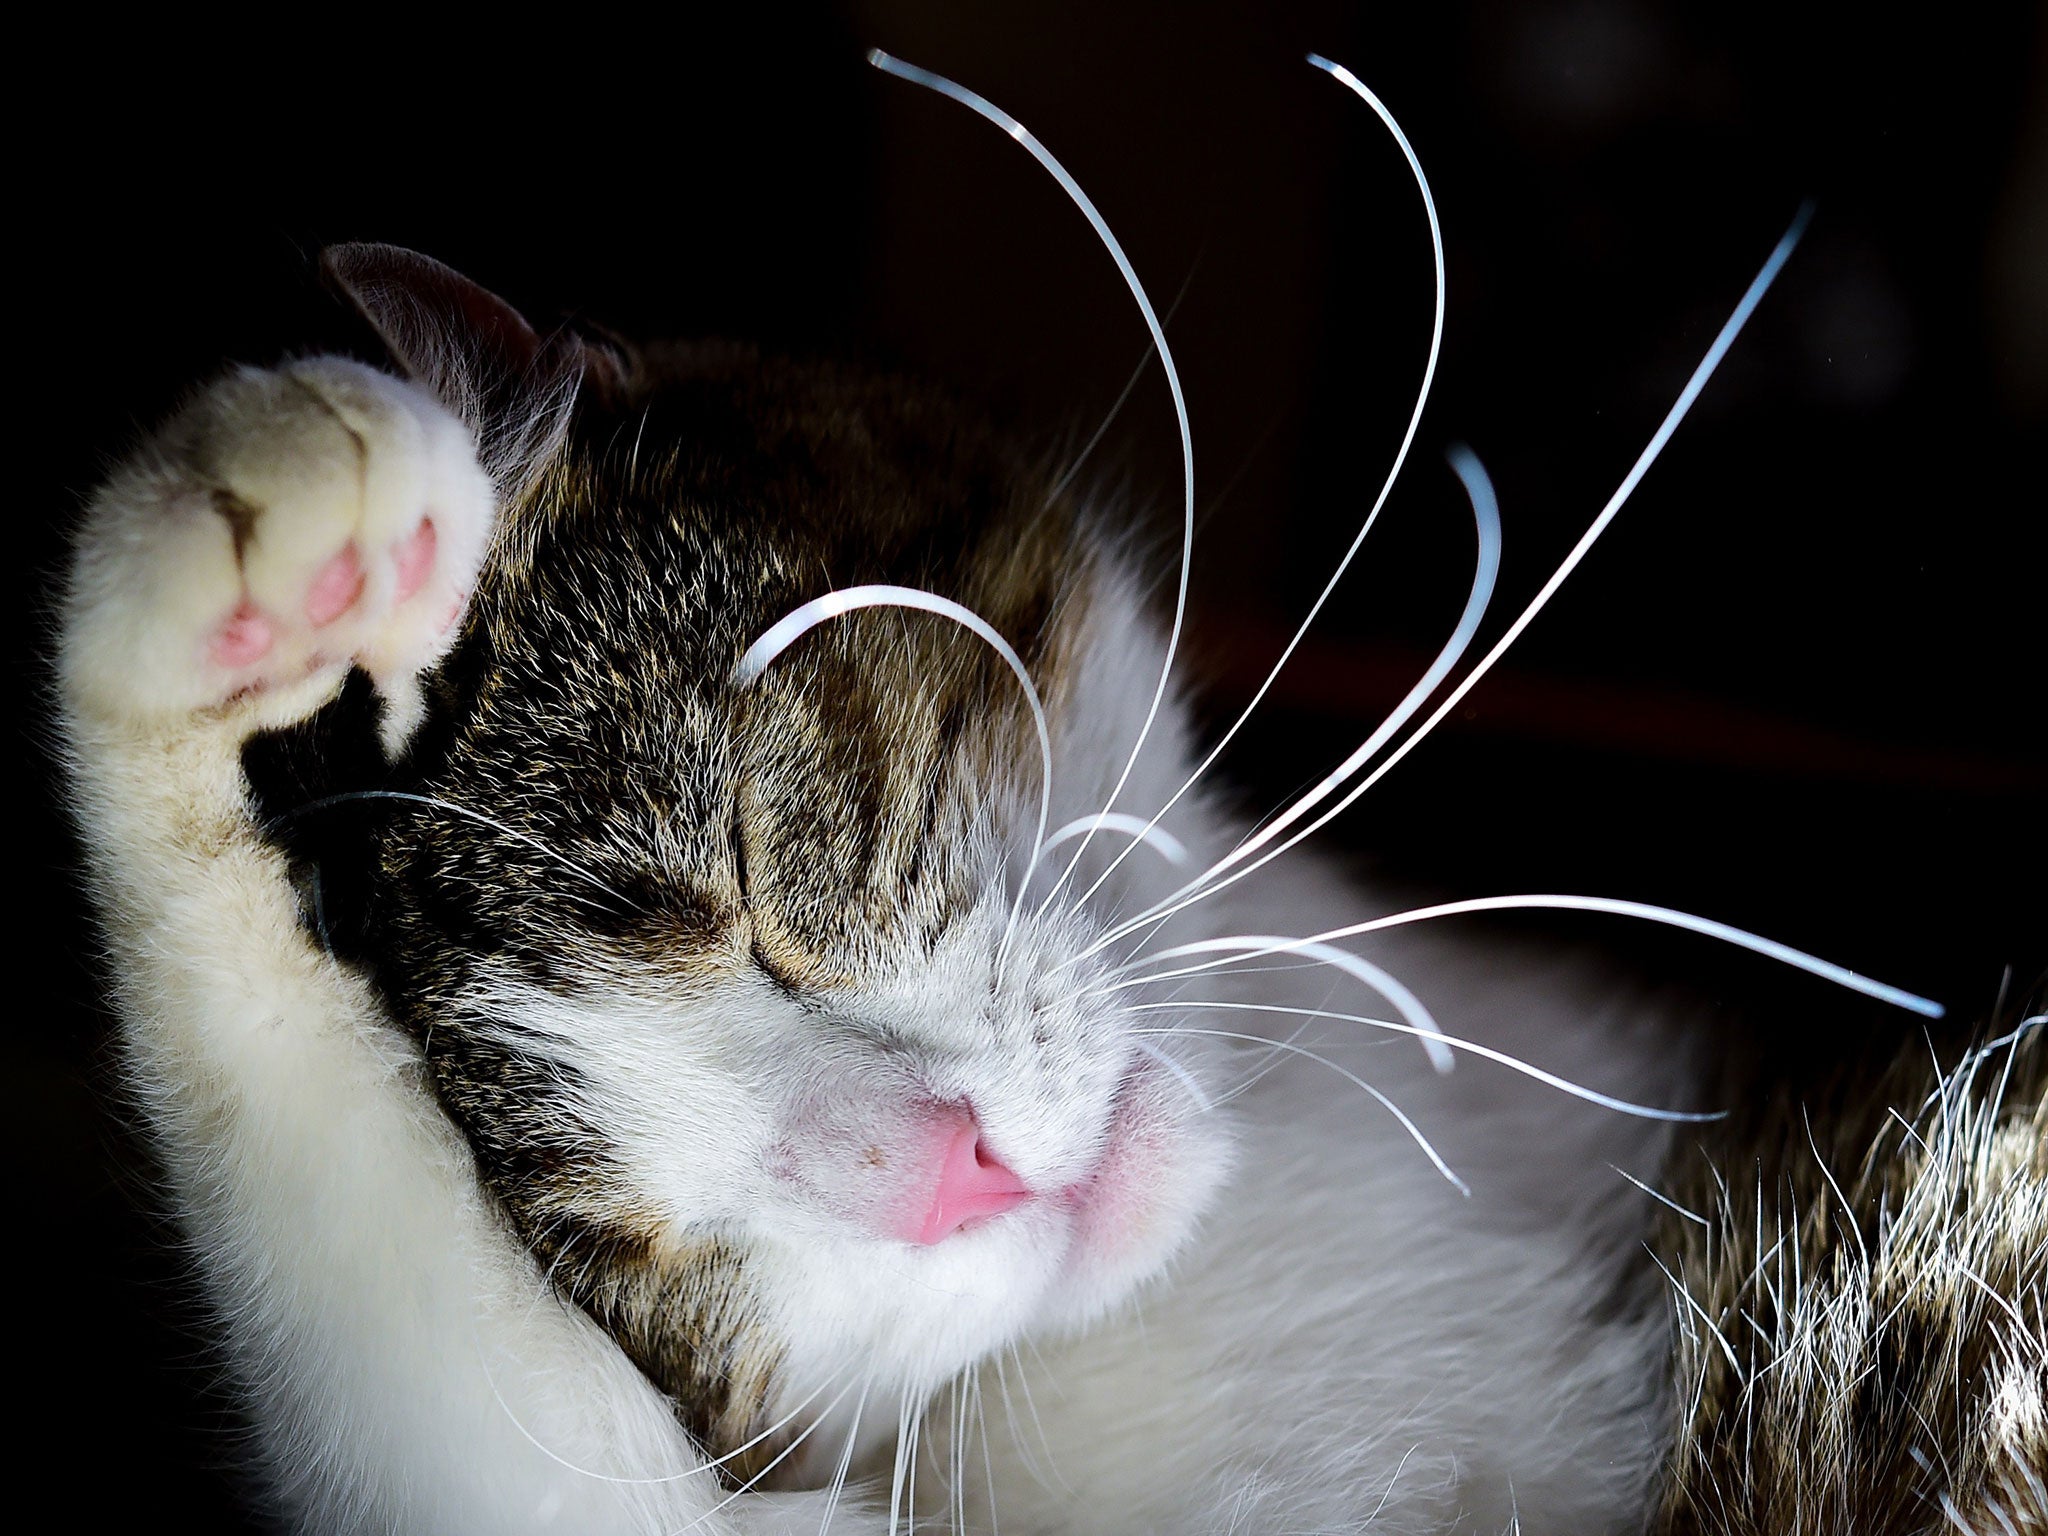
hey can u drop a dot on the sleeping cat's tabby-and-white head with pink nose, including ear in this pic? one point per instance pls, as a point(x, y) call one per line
point(728, 980)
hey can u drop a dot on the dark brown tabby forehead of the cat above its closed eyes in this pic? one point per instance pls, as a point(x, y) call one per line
point(859, 796)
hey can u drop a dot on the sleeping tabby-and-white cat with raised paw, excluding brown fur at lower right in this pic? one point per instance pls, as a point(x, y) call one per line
point(577, 1062)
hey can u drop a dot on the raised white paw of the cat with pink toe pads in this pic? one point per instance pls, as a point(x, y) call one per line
point(286, 525)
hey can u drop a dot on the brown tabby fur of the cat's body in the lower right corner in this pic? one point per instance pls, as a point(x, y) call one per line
point(1863, 1320)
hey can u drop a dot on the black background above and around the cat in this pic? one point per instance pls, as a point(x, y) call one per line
point(1799, 687)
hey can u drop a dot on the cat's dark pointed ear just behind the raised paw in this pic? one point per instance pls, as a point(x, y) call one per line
point(478, 353)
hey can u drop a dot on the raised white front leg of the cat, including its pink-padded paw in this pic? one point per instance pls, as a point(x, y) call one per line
point(407, 1365)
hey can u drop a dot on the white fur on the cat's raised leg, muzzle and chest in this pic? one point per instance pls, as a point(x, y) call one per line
point(1326, 1340)
